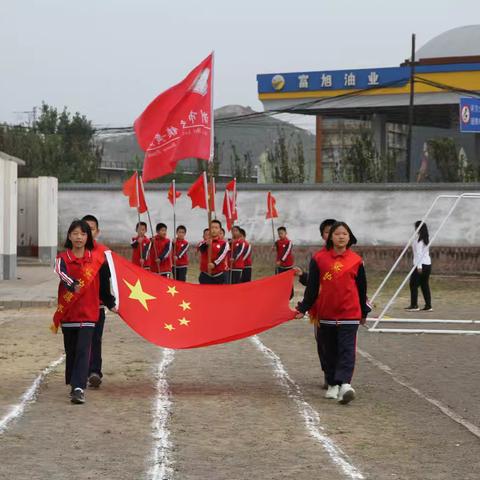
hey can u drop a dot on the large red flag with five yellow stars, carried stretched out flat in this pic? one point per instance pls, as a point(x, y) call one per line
point(184, 315)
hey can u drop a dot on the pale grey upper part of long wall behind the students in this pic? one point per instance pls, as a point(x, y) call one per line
point(378, 215)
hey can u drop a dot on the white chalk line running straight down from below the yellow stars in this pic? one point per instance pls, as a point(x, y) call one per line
point(161, 461)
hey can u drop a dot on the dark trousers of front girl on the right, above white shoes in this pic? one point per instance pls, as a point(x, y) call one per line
point(340, 343)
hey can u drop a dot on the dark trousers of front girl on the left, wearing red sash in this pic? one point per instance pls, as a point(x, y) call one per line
point(77, 342)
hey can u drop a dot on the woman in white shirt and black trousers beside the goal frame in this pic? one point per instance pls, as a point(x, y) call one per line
point(421, 274)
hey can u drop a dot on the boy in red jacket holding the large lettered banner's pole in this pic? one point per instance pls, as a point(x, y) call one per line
point(213, 272)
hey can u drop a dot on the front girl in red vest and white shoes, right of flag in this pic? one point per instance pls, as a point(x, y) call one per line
point(336, 299)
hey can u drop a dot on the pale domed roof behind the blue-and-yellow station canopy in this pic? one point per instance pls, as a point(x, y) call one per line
point(457, 42)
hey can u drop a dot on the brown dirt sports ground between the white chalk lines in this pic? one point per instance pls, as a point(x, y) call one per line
point(231, 418)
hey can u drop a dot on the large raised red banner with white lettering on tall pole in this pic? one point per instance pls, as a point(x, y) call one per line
point(178, 123)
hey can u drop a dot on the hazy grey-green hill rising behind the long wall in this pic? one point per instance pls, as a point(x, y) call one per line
point(250, 137)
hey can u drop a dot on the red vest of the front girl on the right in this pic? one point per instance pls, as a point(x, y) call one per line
point(338, 296)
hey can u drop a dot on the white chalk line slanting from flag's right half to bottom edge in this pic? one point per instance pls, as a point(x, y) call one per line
point(309, 414)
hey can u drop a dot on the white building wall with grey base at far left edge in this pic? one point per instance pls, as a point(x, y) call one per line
point(8, 219)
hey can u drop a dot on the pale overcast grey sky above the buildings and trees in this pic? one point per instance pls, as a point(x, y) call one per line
point(109, 58)
